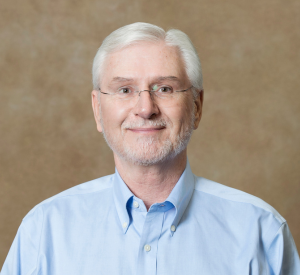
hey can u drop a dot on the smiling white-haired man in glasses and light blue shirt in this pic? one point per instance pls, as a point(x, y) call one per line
point(153, 216)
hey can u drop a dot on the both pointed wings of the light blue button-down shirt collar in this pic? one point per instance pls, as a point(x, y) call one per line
point(180, 197)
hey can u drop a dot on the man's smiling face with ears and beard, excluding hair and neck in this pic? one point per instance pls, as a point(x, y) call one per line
point(145, 129)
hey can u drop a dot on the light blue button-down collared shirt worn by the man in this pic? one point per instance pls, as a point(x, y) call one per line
point(203, 227)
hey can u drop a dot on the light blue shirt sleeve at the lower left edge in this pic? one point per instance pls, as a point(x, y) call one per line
point(23, 254)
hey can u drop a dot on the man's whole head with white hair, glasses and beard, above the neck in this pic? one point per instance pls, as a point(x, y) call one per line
point(147, 127)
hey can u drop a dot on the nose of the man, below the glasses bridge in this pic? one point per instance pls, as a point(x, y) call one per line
point(145, 106)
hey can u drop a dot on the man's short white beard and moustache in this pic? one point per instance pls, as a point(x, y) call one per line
point(145, 150)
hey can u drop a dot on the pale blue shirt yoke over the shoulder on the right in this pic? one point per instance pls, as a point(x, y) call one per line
point(235, 197)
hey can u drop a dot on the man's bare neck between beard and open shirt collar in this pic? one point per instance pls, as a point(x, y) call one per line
point(154, 183)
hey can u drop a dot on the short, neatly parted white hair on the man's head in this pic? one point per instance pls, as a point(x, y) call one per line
point(138, 32)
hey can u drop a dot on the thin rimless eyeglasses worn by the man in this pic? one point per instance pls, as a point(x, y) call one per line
point(159, 91)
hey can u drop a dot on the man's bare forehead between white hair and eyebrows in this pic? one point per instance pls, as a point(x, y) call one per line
point(144, 61)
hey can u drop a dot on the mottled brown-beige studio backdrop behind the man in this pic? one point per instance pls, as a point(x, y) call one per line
point(250, 132)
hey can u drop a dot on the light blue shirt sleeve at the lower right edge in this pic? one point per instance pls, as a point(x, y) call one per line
point(282, 254)
